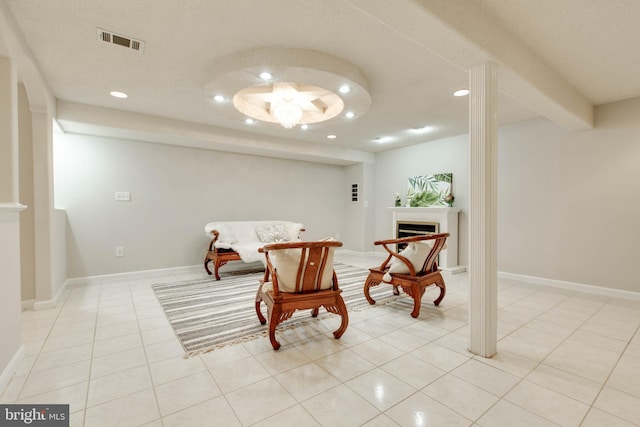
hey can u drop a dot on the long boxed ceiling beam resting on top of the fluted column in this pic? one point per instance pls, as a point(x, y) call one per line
point(462, 33)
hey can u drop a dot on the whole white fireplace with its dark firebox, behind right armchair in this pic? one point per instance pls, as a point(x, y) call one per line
point(412, 221)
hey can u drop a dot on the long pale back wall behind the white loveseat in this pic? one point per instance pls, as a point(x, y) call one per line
point(175, 191)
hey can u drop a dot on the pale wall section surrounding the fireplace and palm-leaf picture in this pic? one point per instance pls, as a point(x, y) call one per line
point(393, 169)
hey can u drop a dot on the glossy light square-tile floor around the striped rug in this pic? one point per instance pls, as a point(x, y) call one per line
point(564, 359)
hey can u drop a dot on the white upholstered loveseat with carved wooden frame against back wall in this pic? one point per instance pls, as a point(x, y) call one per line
point(240, 240)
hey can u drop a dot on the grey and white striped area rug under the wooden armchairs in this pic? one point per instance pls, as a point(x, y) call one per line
point(207, 314)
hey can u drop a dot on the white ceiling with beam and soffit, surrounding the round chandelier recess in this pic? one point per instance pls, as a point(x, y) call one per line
point(557, 58)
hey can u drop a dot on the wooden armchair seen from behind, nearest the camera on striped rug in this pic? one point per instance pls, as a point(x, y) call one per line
point(299, 276)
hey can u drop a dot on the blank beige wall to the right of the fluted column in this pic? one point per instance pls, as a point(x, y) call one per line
point(569, 202)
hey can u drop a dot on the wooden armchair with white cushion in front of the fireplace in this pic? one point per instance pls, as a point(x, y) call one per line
point(413, 269)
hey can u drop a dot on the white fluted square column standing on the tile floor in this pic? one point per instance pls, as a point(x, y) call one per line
point(483, 235)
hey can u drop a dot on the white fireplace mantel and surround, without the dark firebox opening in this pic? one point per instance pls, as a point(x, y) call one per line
point(447, 218)
